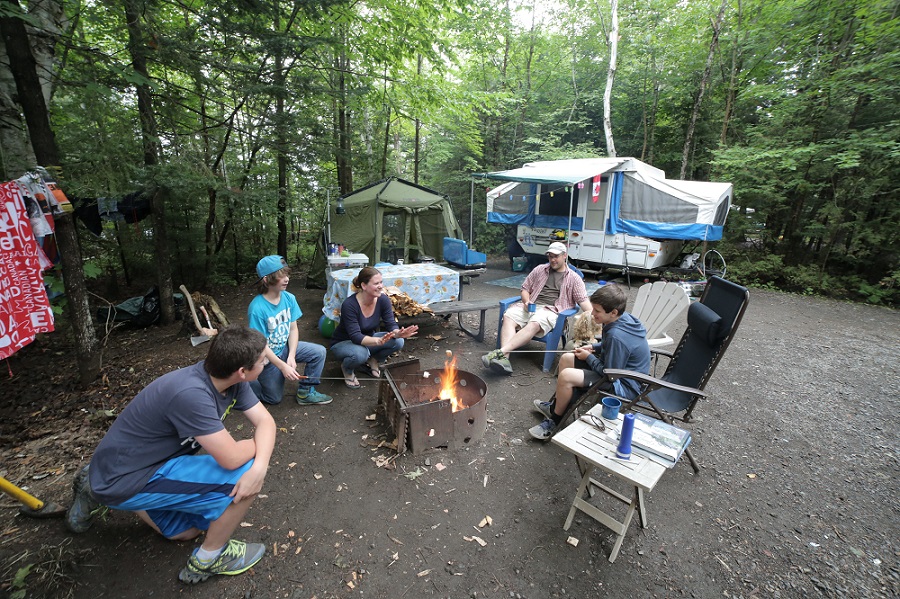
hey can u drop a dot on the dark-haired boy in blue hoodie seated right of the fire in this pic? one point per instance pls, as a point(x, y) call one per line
point(623, 346)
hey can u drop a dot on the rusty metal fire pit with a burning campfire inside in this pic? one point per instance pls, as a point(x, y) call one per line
point(428, 409)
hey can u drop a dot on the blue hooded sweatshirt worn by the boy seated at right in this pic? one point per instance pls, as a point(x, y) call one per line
point(623, 346)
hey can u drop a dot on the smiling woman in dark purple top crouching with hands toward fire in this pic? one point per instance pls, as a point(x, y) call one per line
point(355, 341)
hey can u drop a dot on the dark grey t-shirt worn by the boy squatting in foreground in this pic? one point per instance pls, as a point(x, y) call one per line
point(159, 424)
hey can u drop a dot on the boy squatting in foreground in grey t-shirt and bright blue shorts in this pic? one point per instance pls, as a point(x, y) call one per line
point(146, 463)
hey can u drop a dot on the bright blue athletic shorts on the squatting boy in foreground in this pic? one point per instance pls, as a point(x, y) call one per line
point(187, 492)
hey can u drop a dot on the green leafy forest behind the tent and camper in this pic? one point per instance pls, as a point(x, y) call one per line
point(239, 120)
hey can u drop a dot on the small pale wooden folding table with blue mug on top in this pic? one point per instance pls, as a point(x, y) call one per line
point(596, 449)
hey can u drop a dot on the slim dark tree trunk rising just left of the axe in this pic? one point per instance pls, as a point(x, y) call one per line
point(149, 138)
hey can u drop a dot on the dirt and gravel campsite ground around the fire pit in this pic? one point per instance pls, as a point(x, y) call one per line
point(797, 496)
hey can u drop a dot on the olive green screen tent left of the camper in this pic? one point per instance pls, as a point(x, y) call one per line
point(388, 220)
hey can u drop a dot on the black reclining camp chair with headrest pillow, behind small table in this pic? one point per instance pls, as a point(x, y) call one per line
point(712, 323)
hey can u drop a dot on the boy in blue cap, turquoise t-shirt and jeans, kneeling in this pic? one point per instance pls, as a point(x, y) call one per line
point(274, 312)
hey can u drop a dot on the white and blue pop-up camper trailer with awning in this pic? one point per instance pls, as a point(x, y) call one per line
point(612, 212)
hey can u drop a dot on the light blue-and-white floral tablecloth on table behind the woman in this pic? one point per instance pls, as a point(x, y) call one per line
point(425, 283)
